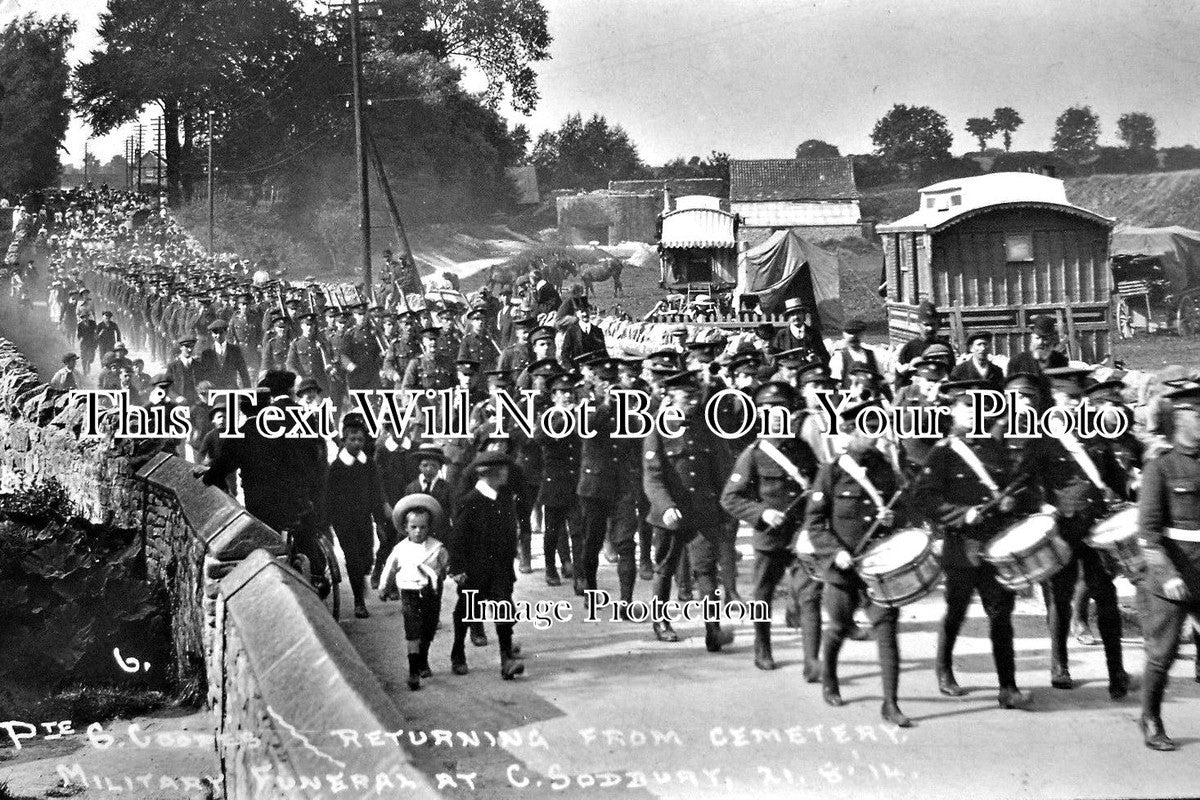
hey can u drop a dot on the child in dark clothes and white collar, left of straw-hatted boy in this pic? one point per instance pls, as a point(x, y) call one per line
point(356, 496)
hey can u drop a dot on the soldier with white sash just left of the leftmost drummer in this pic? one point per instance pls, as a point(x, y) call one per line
point(765, 491)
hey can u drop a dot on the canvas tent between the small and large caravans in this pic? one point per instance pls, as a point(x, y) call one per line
point(787, 267)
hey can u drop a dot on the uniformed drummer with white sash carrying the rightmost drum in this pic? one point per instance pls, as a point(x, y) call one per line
point(1081, 479)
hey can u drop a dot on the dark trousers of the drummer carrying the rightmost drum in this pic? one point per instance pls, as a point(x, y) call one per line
point(1100, 586)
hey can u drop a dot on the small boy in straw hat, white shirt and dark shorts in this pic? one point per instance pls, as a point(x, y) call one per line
point(417, 568)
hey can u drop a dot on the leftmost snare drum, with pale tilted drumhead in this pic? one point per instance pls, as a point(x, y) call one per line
point(902, 569)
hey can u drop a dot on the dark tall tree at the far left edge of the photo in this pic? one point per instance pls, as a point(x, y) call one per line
point(34, 105)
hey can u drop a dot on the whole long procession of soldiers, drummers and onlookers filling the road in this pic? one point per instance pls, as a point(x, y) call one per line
point(411, 512)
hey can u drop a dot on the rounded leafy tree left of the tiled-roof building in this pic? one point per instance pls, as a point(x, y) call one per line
point(586, 155)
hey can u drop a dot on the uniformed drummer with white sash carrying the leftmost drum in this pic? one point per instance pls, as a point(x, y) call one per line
point(849, 497)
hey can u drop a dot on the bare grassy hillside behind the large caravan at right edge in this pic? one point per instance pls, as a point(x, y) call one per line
point(1153, 200)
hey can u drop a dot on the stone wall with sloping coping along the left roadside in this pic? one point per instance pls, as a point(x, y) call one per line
point(274, 660)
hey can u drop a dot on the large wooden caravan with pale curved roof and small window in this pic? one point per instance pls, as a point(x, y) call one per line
point(992, 252)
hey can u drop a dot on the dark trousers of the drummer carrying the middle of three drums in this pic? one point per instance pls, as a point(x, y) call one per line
point(962, 584)
